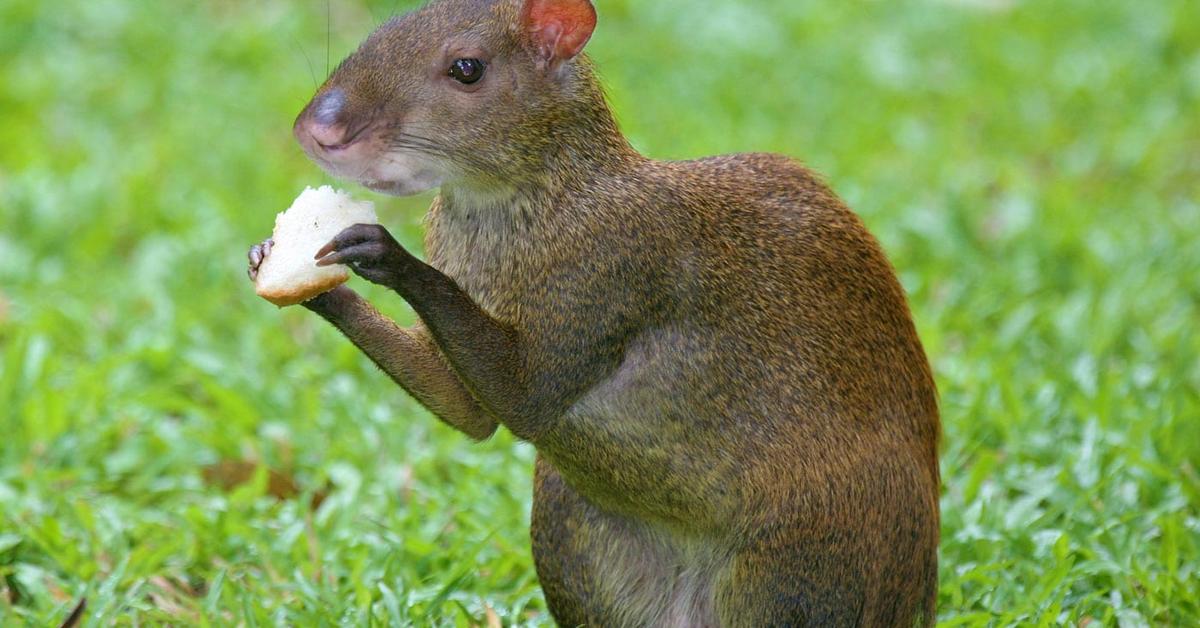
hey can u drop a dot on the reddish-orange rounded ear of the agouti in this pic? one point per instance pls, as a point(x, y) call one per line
point(559, 29)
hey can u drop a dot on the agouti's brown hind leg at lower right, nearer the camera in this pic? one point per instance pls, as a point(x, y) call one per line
point(866, 557)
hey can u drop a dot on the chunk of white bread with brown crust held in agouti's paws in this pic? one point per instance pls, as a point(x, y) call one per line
point(290, 274)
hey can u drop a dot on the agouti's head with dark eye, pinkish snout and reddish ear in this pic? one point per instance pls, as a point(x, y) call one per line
point(465, 92)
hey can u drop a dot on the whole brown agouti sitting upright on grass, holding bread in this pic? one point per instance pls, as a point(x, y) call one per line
point(735, 418)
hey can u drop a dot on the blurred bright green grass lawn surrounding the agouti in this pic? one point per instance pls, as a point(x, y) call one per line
point(1031, 168)
